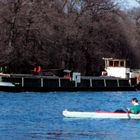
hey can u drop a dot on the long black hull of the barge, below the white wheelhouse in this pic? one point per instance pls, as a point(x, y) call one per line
point(37, 83)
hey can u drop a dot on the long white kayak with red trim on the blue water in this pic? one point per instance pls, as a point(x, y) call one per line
point(100, 115)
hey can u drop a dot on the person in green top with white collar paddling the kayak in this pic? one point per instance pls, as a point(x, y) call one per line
point(136, 107)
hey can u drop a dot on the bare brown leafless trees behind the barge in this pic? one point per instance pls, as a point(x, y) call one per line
point(67, 34)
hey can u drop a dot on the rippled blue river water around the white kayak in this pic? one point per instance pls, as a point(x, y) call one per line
point(38, 116)
